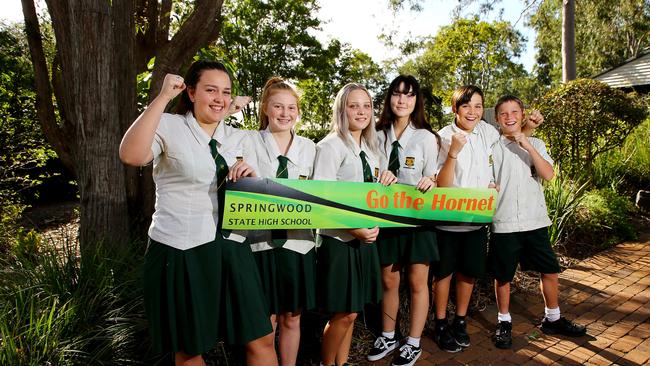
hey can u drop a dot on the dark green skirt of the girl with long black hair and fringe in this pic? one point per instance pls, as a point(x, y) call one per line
point(407, 246)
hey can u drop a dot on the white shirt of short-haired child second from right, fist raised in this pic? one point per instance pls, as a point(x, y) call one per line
point(474, 162)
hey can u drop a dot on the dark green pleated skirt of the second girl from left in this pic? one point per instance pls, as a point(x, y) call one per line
point(288, 279)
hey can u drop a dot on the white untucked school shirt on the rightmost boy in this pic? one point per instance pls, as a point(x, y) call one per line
point(520, 204)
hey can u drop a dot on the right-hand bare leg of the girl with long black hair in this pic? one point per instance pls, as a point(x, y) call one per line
point(418, 276)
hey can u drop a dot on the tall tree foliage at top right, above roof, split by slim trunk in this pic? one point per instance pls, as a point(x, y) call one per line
point(607, 33)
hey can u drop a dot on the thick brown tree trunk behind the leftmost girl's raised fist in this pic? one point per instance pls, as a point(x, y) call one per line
point(87, 47)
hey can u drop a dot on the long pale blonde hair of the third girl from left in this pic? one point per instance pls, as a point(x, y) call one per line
point(341, 125)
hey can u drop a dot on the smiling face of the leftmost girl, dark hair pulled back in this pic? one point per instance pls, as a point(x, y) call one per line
point(211, 96)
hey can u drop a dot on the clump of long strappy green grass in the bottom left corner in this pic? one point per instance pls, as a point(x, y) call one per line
point(57, 308)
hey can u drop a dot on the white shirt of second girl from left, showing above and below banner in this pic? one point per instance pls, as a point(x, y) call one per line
point(300, 165)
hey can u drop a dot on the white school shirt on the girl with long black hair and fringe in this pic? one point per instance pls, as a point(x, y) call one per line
point(418, 153)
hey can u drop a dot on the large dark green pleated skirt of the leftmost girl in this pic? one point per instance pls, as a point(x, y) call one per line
point(197, 297)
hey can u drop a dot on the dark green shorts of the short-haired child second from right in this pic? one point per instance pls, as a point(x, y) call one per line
point(462, 252)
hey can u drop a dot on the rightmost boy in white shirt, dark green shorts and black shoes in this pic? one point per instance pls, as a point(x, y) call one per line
point(520, 225)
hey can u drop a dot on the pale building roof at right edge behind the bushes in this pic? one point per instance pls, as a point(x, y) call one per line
point(631, 73)
